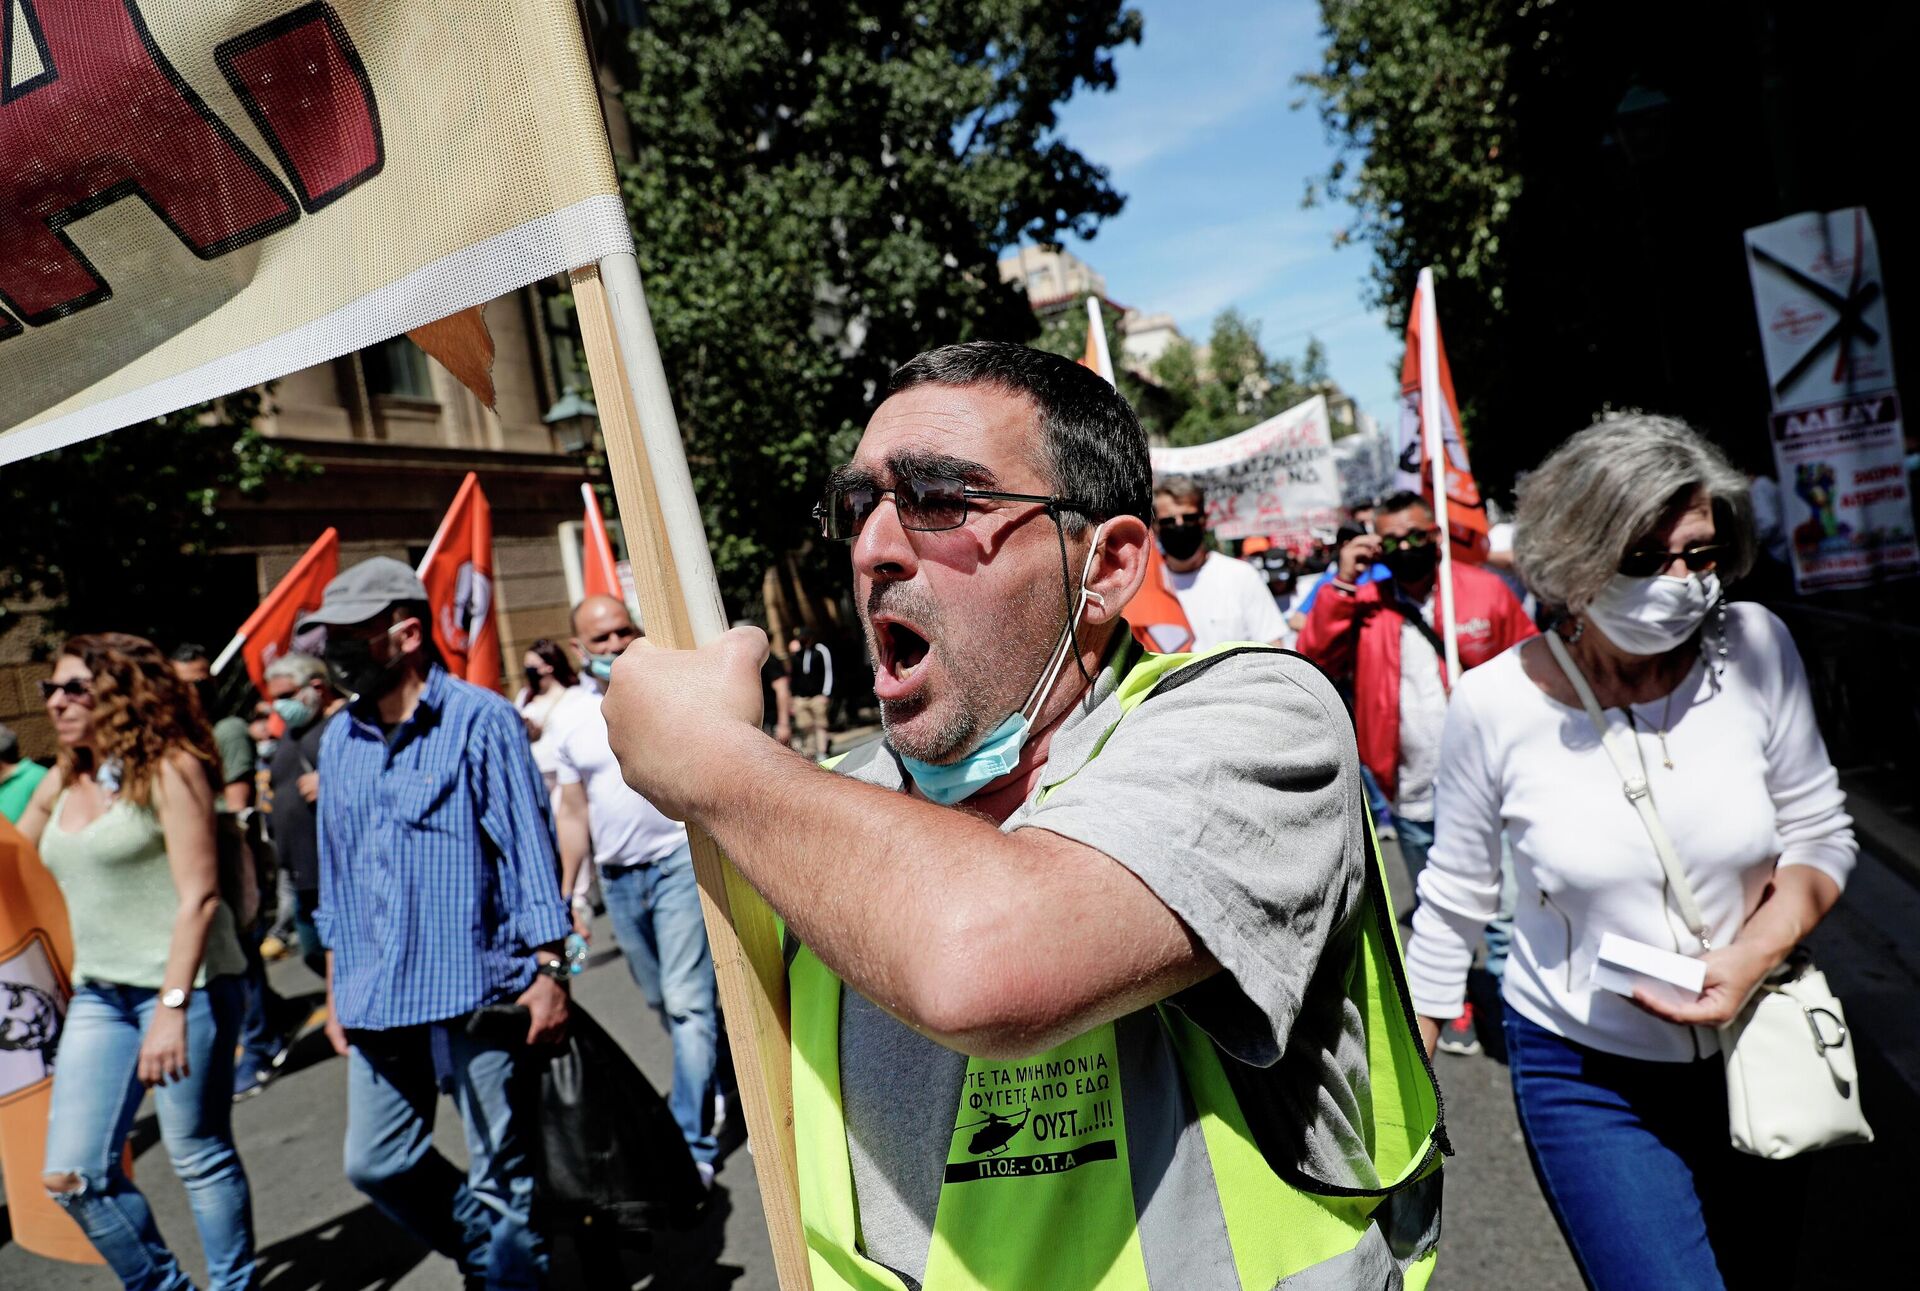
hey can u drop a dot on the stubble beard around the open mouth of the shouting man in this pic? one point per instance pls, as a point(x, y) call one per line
point(976, 698)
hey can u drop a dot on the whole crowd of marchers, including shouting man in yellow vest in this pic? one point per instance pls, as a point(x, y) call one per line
point(1189, 837)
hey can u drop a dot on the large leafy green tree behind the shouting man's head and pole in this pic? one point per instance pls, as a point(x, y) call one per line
point(821, 193)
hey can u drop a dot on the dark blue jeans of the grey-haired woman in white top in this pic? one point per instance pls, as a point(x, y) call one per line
point(1639, 1171)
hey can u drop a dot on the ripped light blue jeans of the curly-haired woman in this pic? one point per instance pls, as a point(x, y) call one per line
point(95, 1100)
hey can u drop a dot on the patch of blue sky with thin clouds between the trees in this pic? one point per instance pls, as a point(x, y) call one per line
point(1205, 141)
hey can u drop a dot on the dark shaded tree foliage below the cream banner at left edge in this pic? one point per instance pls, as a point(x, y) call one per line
point(120, 533)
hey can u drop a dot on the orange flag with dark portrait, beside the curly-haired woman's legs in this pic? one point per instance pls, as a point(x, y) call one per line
point(36, 952)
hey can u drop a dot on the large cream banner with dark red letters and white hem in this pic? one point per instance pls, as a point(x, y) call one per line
point(203, 197)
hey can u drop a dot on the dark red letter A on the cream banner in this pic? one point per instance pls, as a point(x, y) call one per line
point(107, 120)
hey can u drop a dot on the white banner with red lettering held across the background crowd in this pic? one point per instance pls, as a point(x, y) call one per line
point(1278, 479)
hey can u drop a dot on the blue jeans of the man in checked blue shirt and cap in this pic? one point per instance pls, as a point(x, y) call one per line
point(483, 1223)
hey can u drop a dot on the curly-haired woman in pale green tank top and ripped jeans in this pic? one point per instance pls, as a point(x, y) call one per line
point(126, 823)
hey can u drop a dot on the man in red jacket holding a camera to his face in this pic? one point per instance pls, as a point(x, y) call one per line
point(1383, 639)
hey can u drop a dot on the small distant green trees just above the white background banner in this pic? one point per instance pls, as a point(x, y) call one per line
point(1236, 383)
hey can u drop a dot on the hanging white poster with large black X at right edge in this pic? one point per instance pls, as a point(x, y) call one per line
point(1836, 424)
